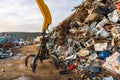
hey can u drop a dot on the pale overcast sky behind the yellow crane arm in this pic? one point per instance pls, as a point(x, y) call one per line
point(24, 15)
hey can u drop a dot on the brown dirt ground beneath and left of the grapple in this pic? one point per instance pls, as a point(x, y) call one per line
point(13, 68)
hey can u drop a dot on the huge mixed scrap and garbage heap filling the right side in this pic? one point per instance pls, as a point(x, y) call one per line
point(87, 44)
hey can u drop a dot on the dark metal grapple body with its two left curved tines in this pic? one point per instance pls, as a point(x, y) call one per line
point(42, 54)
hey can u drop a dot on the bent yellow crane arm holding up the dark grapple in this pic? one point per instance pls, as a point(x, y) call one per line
point(46, 14)
